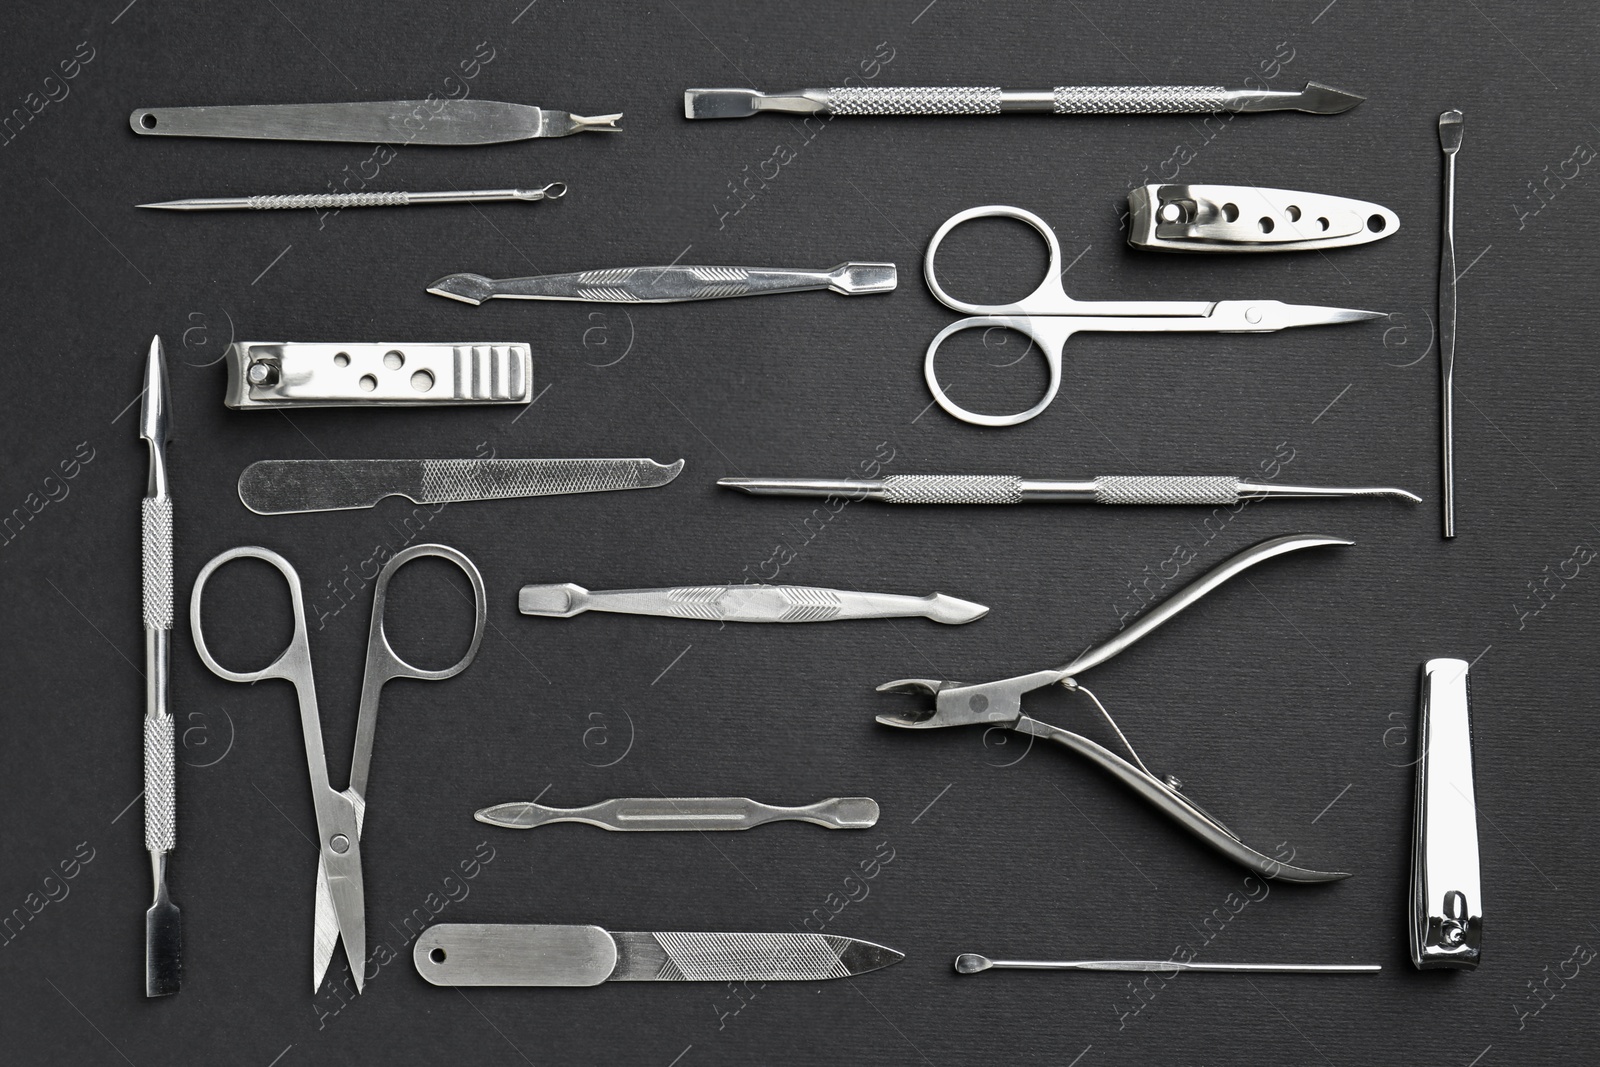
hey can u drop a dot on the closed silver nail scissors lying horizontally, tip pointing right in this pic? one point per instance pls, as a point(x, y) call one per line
point(1049, 318)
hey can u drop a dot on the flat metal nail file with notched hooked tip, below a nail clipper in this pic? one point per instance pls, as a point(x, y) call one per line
point(290, 487)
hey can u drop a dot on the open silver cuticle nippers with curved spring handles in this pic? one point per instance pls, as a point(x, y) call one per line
point(1001, 705)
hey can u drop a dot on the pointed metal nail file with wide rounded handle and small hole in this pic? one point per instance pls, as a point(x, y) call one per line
point(489, 954)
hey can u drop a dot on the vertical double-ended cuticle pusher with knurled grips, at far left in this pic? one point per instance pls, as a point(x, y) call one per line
point(164, 937)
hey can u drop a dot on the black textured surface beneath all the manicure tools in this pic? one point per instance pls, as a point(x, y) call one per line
point(1286, 703)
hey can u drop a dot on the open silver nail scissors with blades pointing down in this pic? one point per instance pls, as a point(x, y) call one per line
point(340, 909)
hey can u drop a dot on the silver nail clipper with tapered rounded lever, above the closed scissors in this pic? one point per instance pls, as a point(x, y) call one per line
point(1247, 218)
